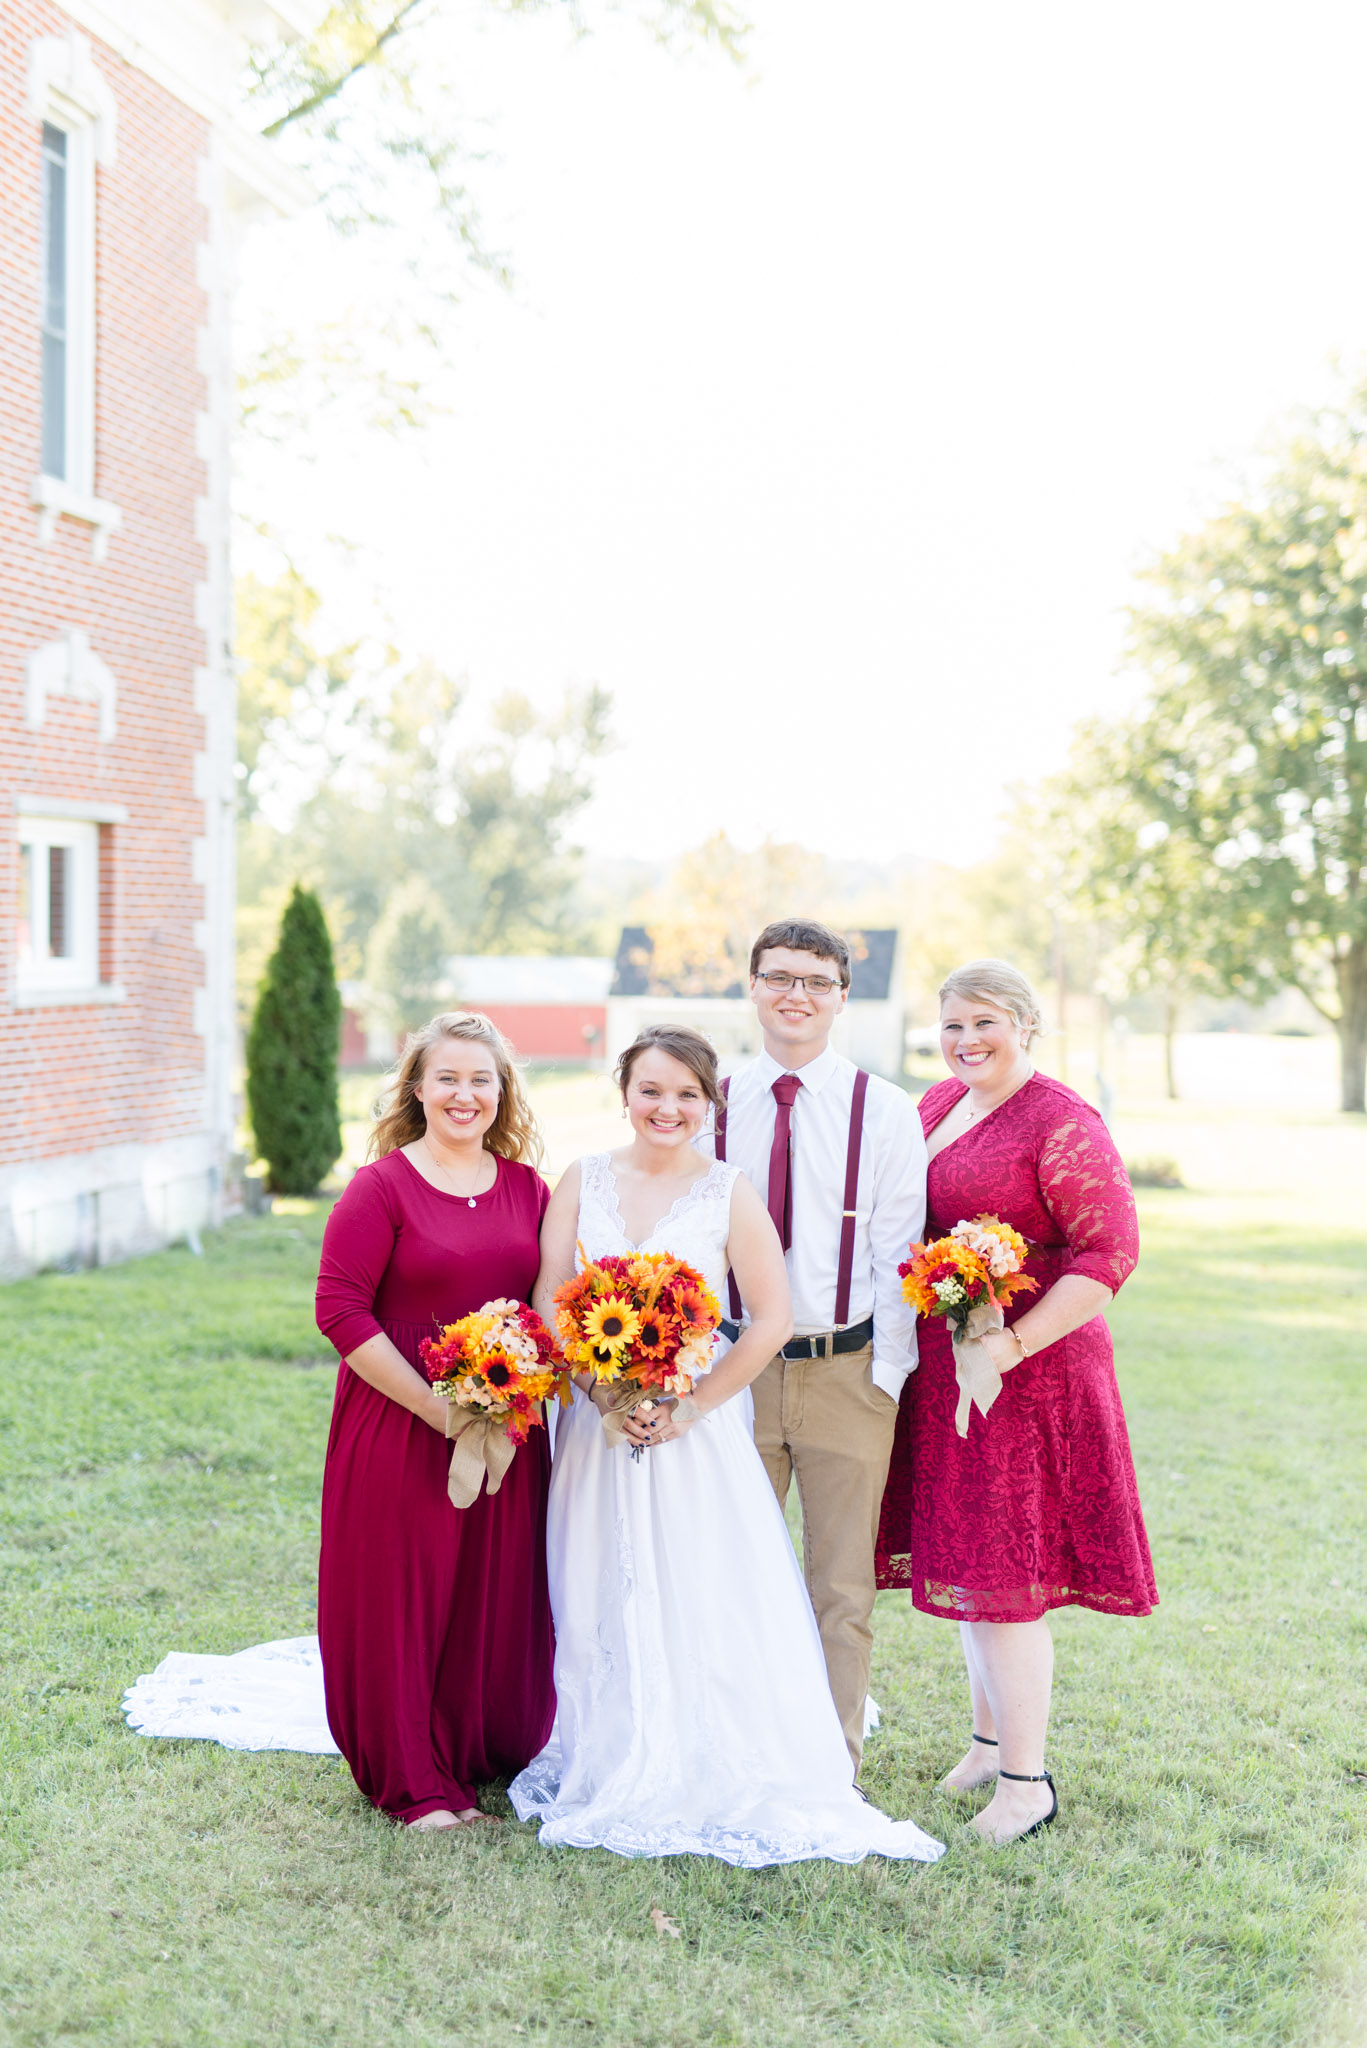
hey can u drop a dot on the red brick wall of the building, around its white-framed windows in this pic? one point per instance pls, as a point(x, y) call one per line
point(75, 1078)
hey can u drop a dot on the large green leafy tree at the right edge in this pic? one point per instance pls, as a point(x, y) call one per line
point(1251, 757)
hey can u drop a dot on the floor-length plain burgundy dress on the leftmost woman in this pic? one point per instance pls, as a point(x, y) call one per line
point(436, 1623)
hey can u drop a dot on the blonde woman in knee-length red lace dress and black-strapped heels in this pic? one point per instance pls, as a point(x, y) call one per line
point(1038, 1506)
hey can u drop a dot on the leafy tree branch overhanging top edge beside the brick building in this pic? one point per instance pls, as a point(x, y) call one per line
point(372, 110)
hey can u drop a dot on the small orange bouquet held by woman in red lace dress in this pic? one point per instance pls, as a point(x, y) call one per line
point(968, 1279)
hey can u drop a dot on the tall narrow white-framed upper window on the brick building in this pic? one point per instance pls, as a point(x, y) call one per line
point(75, 110)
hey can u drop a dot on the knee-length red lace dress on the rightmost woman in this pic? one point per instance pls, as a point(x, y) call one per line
point(1038, 1506)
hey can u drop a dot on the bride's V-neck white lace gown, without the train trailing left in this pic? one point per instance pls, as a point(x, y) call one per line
point(694, 1711)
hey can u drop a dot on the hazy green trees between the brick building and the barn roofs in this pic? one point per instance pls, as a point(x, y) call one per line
point(425, 826)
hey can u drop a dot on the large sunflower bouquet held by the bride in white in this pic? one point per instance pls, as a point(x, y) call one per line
point(643, 1322)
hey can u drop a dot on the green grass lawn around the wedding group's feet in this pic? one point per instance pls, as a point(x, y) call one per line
point(161, 1447)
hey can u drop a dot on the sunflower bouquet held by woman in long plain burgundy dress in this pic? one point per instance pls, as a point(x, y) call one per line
point(495, 1369)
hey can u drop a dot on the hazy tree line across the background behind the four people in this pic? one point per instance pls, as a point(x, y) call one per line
point(1214, 843)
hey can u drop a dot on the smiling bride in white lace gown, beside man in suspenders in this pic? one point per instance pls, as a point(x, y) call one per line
point(696, 1717)
